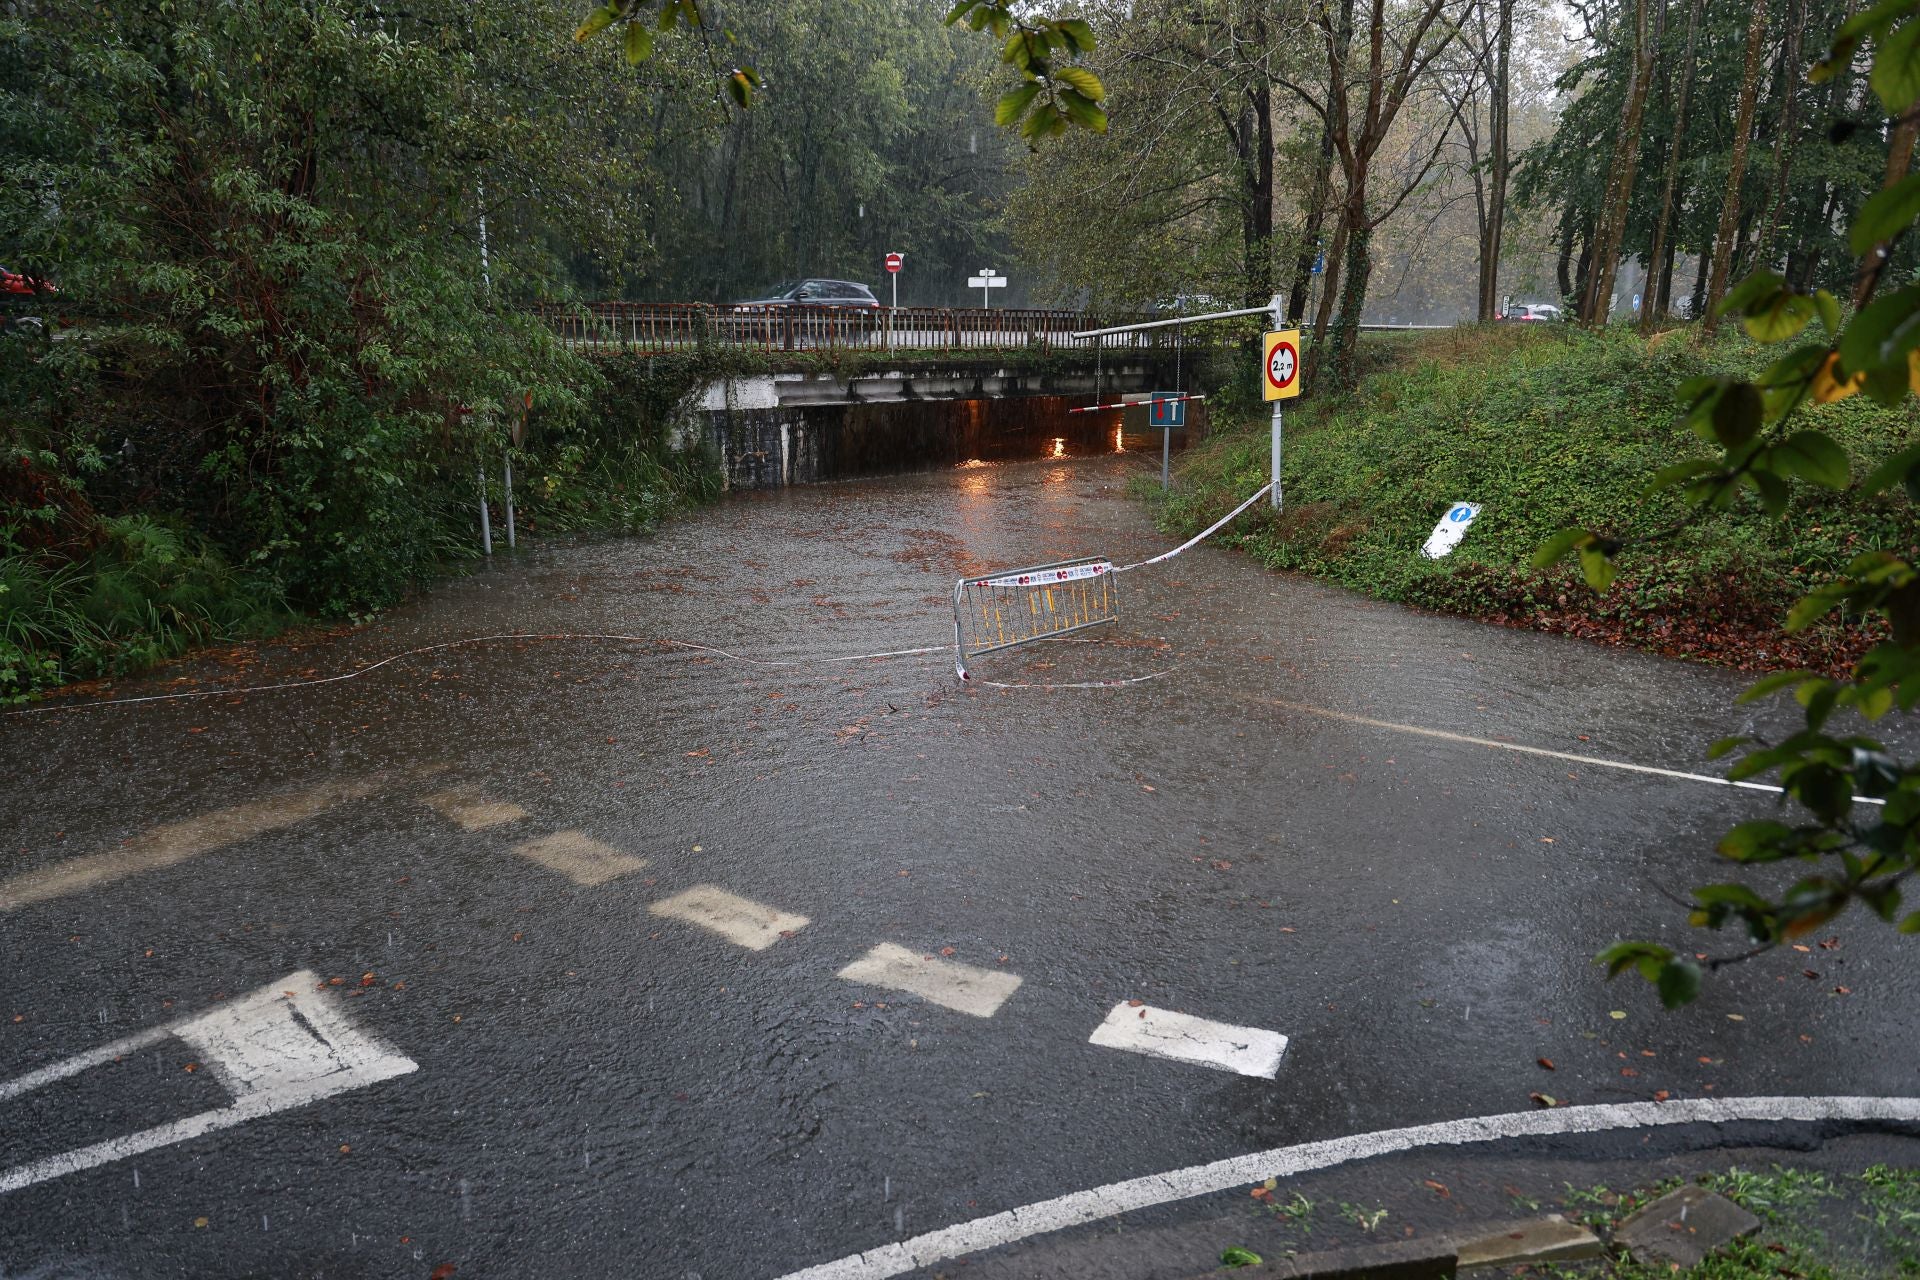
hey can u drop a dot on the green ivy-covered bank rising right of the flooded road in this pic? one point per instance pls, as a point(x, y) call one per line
point(1548, 427)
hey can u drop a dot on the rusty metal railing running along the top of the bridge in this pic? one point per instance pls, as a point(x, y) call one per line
point(660, 329)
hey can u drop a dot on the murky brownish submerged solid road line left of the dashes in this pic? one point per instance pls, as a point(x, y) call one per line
point(178, 841)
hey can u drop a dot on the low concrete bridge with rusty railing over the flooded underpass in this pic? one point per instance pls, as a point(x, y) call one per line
point(832, 392)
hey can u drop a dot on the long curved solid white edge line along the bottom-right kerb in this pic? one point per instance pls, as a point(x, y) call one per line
point(1115, 1198)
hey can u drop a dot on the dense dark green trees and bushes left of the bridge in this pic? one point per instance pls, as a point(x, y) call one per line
point(285, 352)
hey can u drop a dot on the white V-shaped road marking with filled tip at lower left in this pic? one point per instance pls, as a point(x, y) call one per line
point(276, 1049)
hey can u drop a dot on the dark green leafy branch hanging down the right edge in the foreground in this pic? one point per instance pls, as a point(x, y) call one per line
point(1861, 828)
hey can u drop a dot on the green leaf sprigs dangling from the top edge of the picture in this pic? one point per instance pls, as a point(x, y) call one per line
point(1053, 93)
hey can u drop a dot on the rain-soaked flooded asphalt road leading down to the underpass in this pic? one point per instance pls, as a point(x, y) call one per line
point(608, 1093)
